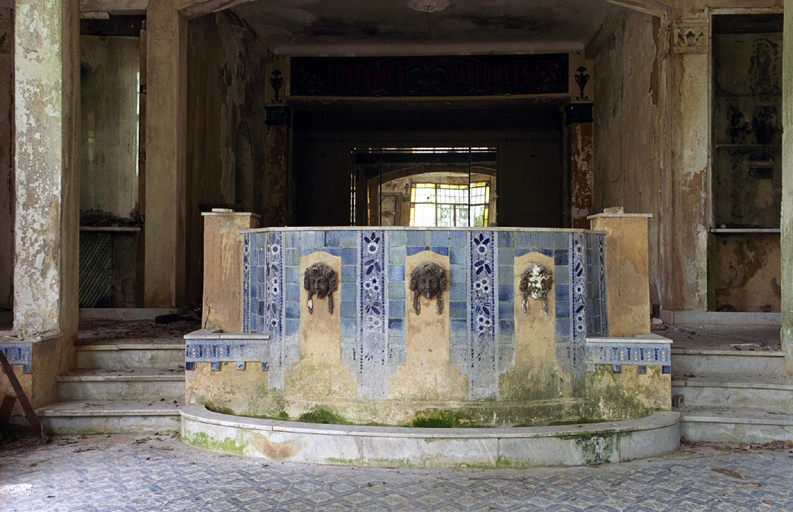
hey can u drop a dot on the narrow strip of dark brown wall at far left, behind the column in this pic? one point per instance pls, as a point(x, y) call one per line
point(7, 198)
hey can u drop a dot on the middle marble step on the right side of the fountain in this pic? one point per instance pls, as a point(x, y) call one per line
point(719, 390)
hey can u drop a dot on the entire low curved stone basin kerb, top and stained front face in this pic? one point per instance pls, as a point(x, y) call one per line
point(569, 445)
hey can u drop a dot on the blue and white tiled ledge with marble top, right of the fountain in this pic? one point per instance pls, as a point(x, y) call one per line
point(643, 350)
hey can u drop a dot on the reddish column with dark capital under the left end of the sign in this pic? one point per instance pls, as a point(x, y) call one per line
point(276, 167)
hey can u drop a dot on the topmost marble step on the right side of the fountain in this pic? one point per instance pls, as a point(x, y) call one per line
point(704, 362)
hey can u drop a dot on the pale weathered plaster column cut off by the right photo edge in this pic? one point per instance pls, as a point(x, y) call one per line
point(787, 189)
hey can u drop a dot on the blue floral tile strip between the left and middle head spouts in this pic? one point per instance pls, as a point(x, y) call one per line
point(372, 340)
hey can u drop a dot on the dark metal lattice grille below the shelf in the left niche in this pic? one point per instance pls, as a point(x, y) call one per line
point(96, 270)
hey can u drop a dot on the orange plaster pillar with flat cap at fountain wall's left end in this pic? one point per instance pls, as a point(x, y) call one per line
point(223, 268)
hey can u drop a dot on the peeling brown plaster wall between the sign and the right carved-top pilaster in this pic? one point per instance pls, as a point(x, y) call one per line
point(630, 99)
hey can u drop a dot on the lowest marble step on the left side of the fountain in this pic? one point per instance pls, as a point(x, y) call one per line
point(111, 417)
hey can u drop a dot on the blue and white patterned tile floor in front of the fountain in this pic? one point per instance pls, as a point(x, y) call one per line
point(160, 473)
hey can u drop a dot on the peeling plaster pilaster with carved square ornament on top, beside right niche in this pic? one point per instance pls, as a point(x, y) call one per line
point(686, 206)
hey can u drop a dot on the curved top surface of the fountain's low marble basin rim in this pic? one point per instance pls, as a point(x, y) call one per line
point(657, 420)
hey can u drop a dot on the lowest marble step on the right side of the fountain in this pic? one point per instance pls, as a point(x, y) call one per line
point(734, 425)
